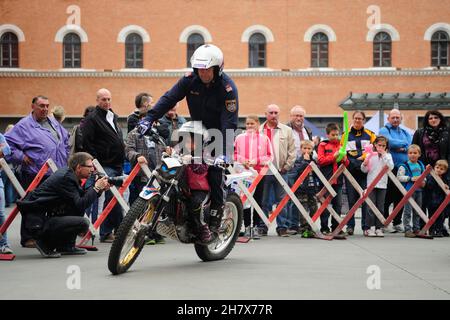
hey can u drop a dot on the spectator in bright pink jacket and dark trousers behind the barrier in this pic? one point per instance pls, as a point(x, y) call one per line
point(254, 150)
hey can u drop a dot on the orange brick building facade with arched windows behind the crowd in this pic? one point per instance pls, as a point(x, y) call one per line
point(312, 53)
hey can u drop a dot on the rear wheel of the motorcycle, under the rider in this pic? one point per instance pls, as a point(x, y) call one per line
point(228, 231)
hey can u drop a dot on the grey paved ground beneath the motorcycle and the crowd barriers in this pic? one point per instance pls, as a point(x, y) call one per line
point(270, 268)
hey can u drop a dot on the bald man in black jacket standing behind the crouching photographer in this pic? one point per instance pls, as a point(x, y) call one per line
point(102, 138)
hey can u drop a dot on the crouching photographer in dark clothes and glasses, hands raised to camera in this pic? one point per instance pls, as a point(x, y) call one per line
point(55, 209)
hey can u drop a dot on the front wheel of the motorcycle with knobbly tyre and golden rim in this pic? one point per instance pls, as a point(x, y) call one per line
point(130, 237)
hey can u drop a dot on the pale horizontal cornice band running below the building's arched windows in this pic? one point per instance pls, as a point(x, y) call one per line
point(18, 73)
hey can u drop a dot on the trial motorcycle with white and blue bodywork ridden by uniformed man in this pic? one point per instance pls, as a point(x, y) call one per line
point(163, 209)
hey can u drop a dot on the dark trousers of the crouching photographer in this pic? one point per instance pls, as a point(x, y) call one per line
point(61, 232)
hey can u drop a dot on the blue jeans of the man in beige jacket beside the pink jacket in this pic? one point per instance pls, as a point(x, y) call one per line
point(271, 182)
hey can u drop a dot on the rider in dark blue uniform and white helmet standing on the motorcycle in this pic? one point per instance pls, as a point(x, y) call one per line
point(212, 98)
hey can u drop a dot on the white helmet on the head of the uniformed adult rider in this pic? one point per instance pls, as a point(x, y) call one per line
point(207, 56)
